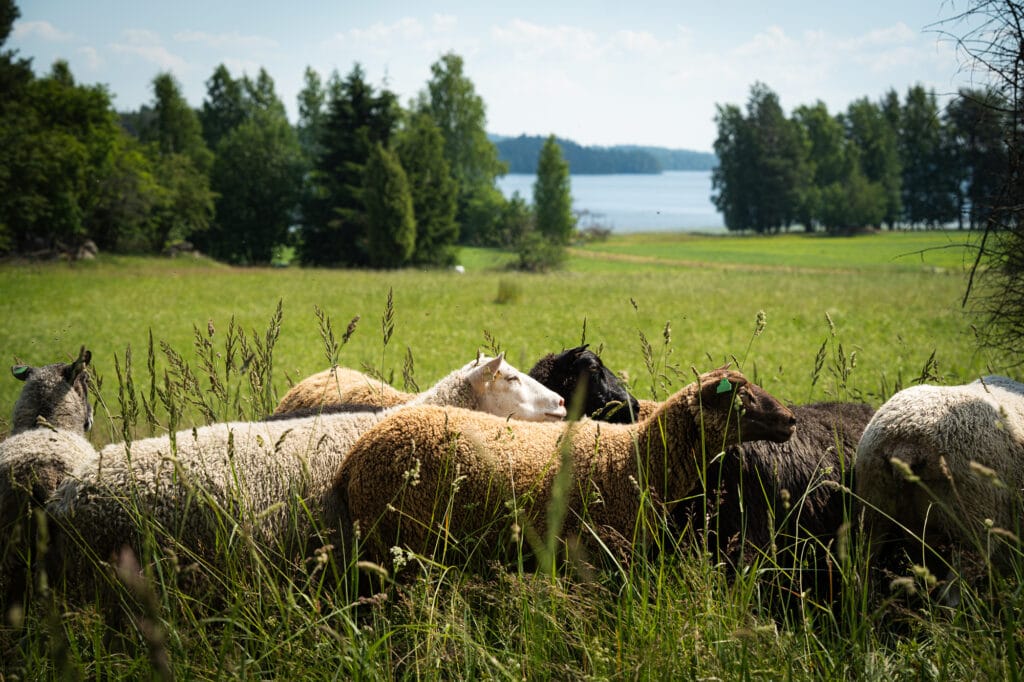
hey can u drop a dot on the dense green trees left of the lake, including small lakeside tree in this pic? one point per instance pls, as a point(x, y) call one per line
point(359, 181)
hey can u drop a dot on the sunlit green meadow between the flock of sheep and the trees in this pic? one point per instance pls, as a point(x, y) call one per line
point(891, 316)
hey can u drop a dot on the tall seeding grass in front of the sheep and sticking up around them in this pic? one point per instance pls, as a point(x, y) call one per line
point(254, 613)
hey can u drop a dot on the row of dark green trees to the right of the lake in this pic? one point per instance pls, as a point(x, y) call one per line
point(880, 164)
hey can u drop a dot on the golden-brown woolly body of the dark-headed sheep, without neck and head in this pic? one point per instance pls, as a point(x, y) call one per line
point(435, 479)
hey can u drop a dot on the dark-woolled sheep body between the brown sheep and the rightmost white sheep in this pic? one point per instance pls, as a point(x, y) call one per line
point(784, 501)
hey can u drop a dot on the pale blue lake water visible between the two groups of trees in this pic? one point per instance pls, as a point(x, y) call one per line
point(630, 203)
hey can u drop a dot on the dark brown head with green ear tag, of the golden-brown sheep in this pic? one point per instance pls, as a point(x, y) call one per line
point(744, 410)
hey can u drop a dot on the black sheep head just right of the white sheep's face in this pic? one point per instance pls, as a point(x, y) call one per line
point(578, 374)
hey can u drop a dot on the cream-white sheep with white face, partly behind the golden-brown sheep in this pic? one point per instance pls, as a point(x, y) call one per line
point(201, 483)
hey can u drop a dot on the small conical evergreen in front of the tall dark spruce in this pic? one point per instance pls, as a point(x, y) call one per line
point(392, 233)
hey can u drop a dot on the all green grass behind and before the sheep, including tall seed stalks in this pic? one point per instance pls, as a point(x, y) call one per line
point(233, 339)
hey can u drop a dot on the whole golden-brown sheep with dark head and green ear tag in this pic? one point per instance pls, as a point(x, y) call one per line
point(432, 478)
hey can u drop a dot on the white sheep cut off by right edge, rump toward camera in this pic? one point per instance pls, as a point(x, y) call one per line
point(946, 464)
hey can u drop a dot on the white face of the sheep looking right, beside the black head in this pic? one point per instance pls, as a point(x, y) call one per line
point(503, 391)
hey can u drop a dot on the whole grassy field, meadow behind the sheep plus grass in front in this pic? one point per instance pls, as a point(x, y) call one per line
point(849, 319)
